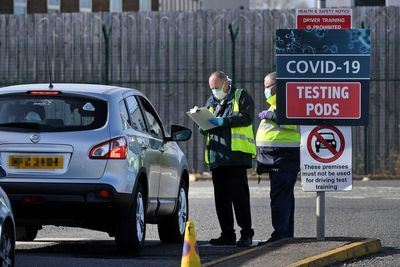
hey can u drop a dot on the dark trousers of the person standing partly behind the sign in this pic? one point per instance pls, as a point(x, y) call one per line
point(282, 203)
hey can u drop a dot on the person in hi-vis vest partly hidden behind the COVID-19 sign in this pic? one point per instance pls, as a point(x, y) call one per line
point(278, 154)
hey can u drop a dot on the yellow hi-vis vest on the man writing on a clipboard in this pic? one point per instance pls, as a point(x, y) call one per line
point(242, 138)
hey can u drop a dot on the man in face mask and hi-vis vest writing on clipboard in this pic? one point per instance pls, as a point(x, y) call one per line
point(229, 151)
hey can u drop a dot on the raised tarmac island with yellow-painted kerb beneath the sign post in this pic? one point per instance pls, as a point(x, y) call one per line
point(296, 252)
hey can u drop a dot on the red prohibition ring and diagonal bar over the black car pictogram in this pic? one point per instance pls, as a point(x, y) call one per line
point(336, 154)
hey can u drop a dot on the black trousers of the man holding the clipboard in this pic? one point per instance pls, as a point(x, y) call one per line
point(231, 187)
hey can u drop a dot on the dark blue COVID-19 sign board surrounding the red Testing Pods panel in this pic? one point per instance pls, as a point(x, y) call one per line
point(322, 56)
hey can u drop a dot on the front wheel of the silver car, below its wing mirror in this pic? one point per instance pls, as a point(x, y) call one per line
point(172, 230)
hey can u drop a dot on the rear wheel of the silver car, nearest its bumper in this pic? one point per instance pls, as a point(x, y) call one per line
point(130, 233)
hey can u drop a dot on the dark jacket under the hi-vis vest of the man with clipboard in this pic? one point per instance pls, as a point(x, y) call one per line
point(220, 137)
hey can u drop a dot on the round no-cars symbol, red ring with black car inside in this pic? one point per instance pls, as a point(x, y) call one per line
point(329, 138)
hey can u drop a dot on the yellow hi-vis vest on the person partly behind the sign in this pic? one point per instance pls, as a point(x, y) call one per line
point(270, 134)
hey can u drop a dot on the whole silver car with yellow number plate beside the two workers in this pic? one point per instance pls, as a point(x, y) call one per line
point(92, 156)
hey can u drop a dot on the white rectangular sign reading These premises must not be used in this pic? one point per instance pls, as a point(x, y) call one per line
point(325, 158)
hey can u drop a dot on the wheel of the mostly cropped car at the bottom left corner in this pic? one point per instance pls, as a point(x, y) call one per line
point(7, 246)
